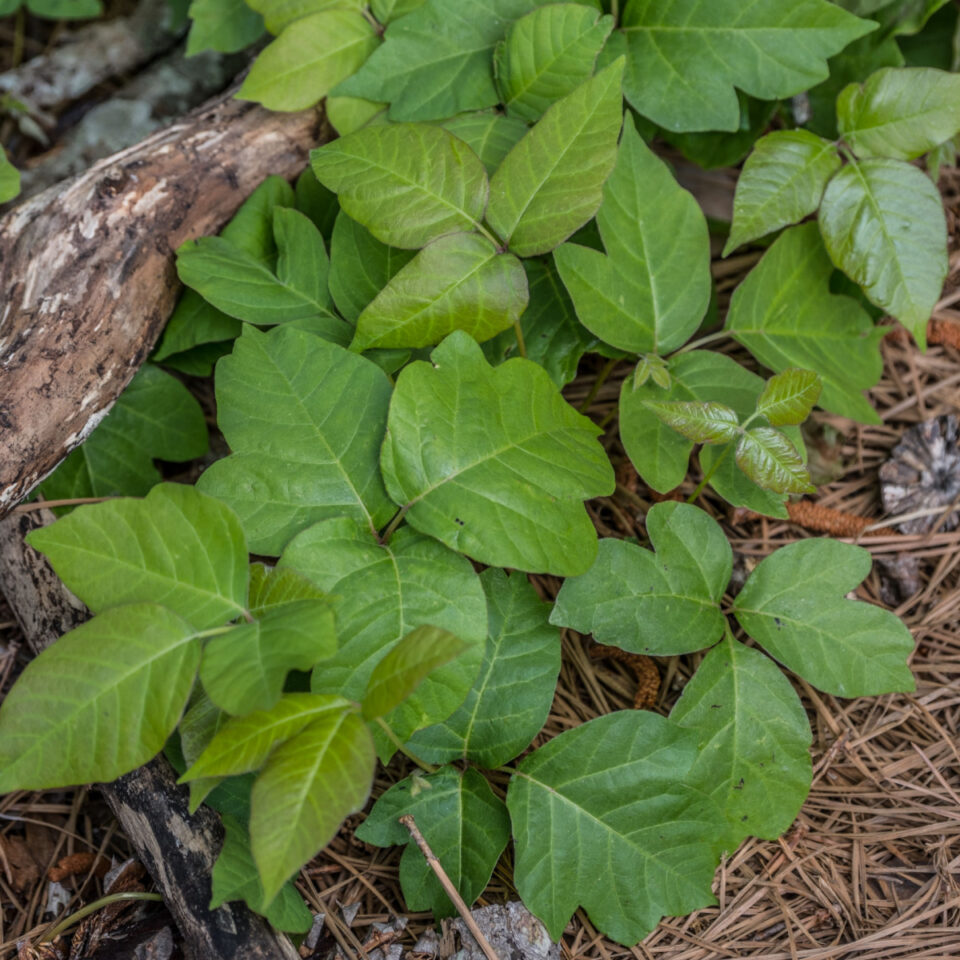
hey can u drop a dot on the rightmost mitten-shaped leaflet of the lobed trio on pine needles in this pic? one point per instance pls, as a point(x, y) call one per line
point(793, 604)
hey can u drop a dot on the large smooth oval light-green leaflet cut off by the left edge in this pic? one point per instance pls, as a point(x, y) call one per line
point(100, 702)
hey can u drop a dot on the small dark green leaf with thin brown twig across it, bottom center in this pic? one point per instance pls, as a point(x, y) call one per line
point(466, 826)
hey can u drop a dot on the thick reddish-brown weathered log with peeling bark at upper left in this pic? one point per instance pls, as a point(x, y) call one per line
point(87, 274)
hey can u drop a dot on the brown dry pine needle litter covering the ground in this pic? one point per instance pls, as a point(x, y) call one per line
point(871, 868)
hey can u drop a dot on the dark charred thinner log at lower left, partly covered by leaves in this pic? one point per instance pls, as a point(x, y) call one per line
point(177, 849)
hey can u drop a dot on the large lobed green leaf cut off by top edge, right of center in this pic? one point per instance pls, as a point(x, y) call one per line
point(686, 56)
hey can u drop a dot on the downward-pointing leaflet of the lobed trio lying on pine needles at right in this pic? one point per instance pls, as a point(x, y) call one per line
point(754, 753)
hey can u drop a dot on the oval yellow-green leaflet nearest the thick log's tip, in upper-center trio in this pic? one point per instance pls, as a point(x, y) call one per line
point(383, 180)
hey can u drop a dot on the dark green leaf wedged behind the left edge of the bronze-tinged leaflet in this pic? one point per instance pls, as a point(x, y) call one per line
point(360, 266)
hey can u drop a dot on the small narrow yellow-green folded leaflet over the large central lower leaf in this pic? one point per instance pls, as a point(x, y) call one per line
point(406, 666)
